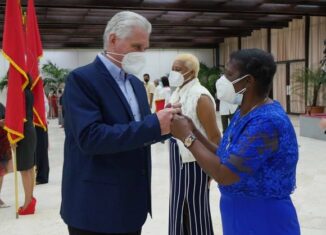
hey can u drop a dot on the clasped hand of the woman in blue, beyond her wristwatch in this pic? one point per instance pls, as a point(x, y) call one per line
point(181, 127)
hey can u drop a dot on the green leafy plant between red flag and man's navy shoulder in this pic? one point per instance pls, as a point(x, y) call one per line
point(53, 76)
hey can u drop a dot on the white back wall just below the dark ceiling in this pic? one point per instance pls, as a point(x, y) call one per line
point(158, 61)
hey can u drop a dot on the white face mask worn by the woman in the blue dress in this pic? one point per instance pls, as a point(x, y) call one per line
point(225, 90)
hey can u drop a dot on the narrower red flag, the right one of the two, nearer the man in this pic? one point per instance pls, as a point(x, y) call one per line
point(34, 52)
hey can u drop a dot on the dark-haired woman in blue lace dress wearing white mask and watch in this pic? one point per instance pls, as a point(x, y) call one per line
point(255, 164)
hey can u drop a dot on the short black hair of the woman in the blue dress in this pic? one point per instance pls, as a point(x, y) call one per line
point(258, 63)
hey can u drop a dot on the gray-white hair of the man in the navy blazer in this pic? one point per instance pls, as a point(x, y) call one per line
point(122, 23)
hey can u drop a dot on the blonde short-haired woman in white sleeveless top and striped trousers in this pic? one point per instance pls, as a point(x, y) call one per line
point(189, 187)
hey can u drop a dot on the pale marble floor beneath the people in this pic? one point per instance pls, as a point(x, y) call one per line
point(309, 197)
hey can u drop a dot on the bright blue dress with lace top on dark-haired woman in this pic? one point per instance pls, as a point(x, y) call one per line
point(261, 148)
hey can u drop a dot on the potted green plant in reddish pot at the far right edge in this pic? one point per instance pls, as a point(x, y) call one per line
point(313, 79)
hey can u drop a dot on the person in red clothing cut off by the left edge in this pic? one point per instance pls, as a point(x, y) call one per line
point(5, 153)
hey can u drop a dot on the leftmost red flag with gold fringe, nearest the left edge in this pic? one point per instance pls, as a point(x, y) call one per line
point(13, 49)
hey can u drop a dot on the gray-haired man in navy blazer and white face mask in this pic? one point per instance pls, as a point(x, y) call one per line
point(109, 128)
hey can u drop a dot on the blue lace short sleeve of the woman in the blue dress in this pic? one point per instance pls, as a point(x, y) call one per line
point(255, 145)
